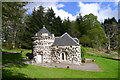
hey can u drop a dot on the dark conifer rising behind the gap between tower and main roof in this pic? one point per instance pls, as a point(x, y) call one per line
point(53, 23)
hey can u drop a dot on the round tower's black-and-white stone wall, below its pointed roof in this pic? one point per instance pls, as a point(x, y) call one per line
point(42, 46)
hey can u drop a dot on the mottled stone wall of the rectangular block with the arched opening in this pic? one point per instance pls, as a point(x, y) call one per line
point(72, 54)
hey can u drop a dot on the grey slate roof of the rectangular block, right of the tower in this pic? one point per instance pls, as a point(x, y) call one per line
point(65, 40)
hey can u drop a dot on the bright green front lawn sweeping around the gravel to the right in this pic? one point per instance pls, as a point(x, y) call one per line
point(109, 66)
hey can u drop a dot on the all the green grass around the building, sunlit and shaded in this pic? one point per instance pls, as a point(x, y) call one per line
point(109, 67)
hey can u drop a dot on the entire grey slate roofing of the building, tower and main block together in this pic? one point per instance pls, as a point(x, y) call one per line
point(64, 40)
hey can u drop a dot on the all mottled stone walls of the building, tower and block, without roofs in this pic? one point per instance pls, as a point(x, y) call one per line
point(44, 52)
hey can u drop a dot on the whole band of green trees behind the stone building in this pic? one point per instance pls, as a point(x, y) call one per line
point(19, 28)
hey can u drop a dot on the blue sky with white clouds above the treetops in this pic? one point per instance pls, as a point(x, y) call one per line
point(102, 10)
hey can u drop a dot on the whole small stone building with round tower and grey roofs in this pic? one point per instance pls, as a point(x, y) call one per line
point(47, 49)
